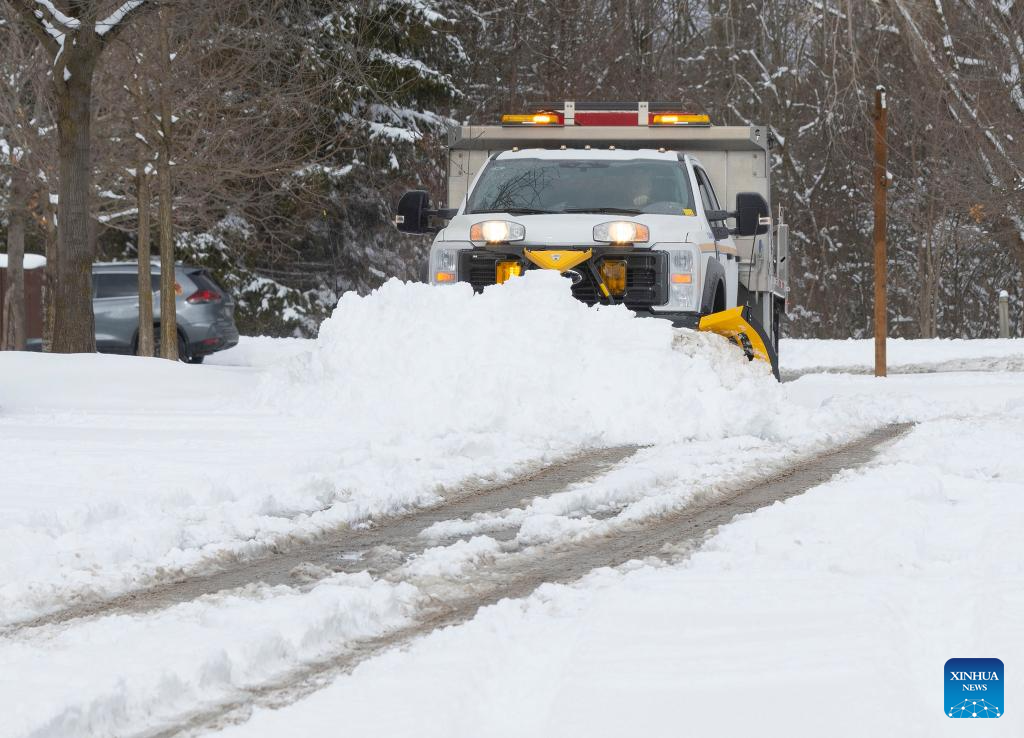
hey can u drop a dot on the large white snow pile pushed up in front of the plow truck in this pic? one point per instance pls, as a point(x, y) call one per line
point(524, 360)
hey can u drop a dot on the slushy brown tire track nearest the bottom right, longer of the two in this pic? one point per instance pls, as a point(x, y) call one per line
point(667, 537)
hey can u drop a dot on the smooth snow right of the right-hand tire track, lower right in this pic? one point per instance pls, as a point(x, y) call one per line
point(830, 615)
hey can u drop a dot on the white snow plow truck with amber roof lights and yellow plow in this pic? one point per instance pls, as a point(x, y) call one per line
point(626, 200)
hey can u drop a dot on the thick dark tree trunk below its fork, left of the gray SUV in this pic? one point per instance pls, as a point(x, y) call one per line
point(74, 324)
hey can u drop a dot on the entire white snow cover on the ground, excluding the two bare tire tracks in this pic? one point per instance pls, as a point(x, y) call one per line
point(790, 622)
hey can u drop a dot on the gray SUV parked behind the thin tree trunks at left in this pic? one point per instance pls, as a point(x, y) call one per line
point(205, 310)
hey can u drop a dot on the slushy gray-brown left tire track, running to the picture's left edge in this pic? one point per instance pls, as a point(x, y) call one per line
point(376, 549)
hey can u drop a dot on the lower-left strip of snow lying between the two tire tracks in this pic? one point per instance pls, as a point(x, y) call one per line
point(202, 657)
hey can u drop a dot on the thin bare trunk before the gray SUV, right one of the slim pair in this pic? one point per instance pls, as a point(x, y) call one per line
point(168, 311)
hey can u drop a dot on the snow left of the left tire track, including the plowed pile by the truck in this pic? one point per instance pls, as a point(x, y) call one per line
point(142, 484)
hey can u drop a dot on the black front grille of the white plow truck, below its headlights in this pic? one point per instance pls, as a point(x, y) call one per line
point(647, 276)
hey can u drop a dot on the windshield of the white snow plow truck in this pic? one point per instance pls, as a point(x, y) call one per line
point(563, 186)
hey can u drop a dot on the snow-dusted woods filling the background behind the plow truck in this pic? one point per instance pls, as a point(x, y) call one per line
point(297, 123)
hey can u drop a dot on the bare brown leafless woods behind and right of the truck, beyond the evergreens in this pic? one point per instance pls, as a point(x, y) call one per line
point(809, 71)
